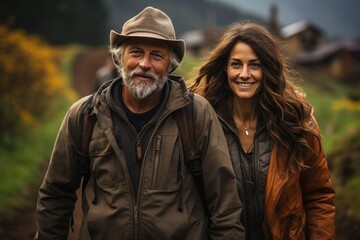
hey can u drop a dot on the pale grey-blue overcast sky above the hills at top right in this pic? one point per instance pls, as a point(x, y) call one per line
point(338, 18)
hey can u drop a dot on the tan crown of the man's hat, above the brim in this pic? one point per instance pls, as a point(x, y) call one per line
point(152, 21)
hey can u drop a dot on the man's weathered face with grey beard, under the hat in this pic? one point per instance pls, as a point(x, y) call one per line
point(145, 65)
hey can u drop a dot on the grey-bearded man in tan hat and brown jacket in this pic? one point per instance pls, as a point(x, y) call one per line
point(139, 186)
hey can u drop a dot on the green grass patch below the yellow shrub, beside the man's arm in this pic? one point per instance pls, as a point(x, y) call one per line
point(21, 167)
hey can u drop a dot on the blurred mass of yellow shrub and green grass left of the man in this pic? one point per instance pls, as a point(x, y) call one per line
point(33, 97)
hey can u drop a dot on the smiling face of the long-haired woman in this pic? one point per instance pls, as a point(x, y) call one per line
point(244, 71)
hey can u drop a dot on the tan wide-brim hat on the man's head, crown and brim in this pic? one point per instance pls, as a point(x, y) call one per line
point(149, 23)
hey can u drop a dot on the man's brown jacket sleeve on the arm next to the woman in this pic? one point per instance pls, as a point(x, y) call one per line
point(219, 179)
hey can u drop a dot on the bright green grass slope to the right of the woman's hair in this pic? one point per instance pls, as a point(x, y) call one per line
point(325, 94)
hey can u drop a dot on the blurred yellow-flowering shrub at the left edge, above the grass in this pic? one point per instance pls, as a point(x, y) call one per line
point(29, 80)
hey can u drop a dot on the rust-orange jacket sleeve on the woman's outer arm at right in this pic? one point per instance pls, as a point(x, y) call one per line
point(318, 192)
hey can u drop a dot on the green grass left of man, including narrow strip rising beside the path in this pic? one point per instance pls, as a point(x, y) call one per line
point(21, 167)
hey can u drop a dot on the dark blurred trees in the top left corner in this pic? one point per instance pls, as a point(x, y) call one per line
point(58, 21)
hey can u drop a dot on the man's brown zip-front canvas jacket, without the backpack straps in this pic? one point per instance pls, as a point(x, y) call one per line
point(164, 186)
